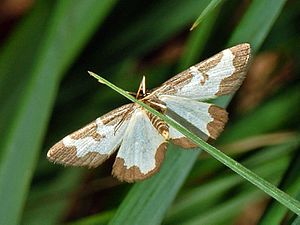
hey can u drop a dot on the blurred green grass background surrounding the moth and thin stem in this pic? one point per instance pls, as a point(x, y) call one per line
point(45, 93)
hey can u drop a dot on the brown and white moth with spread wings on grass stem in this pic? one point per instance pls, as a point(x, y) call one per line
point(139, 137)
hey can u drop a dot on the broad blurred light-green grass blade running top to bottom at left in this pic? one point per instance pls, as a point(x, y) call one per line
point(67, 30)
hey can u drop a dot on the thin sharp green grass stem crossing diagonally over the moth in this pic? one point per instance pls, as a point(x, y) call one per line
point(264, 185)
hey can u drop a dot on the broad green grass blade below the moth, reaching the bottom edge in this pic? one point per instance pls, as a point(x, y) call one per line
point(161, 186)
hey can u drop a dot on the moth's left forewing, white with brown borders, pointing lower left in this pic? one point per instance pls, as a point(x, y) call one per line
point(94, 143)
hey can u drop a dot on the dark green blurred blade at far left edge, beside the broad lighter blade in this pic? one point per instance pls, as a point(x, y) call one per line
point(24, 54)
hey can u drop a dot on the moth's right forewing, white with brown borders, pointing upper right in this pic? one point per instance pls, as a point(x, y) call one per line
point(218, 75)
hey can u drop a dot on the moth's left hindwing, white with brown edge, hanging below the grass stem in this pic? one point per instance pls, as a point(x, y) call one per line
point(142, 150)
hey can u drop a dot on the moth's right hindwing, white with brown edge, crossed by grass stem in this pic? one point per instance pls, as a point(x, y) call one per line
point(204, 119)
